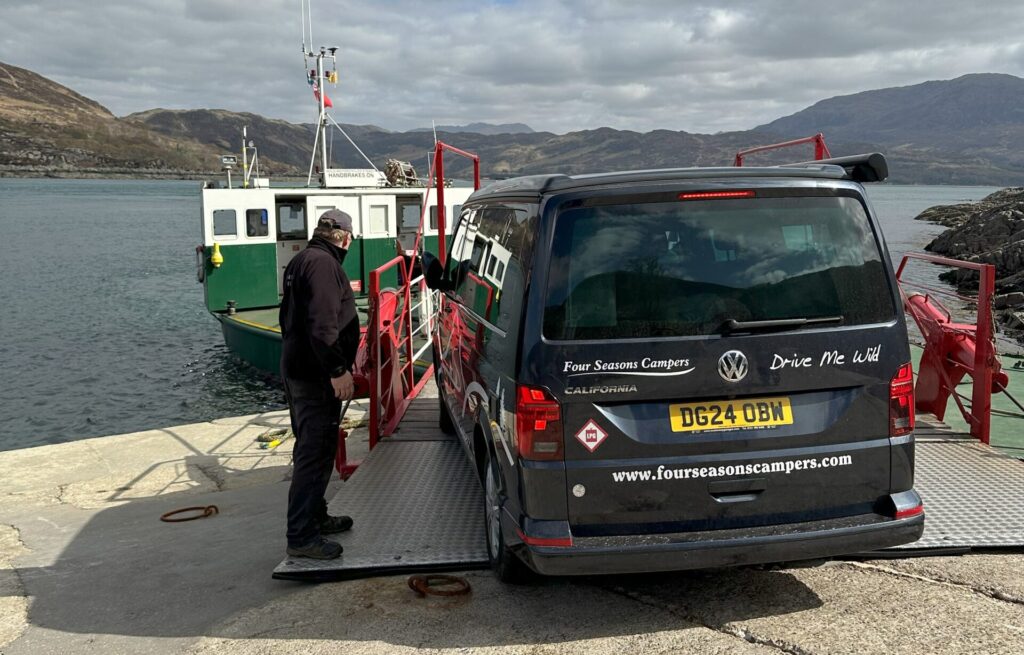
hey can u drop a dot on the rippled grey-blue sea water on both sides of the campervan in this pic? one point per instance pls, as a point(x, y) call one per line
point(103, 327)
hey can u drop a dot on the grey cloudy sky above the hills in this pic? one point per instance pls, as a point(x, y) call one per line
point(556, 65)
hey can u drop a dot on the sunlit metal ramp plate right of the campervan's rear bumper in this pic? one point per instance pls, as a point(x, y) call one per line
point(973, 494)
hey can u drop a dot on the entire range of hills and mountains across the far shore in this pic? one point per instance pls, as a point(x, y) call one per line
point(969, 130)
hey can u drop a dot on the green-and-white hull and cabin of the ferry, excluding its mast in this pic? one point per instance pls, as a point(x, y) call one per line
point(251, 235)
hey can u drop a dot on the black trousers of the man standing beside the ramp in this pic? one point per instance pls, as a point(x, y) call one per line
point(315, 414)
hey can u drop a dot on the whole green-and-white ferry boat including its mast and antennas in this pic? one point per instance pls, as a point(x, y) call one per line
point(253, 230)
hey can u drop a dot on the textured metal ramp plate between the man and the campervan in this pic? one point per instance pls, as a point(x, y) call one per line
point(417, 506)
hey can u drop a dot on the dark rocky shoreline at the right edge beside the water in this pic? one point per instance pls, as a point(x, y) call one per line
point(990, 232)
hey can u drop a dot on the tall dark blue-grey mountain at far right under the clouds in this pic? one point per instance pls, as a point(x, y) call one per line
point(973, 119)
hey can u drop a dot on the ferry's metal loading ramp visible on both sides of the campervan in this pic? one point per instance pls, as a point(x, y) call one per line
point(418, 506)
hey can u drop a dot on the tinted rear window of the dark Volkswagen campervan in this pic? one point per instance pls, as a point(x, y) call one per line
point(687, 268)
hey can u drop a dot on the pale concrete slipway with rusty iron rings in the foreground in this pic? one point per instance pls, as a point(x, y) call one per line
point(88, 567)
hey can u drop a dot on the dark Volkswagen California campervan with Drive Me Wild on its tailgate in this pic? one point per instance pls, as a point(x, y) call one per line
point(679, 369)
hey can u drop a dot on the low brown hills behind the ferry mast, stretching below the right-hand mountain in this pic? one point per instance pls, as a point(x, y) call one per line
point(583, 152)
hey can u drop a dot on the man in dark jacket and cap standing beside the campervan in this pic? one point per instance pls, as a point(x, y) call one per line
point(320, 332)
